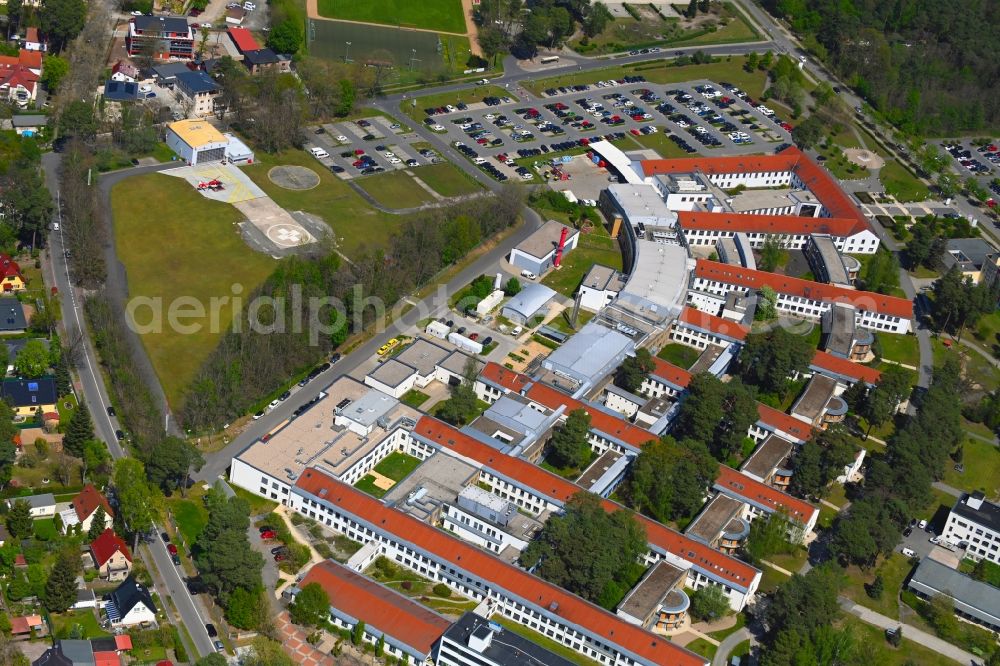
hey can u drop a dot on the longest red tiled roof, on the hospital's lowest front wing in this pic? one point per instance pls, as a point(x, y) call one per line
point(536, 591)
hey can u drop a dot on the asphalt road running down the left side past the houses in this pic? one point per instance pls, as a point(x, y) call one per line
point(94, 393)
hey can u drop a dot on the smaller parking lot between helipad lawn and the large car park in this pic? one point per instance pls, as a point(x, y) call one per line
point(367, 146)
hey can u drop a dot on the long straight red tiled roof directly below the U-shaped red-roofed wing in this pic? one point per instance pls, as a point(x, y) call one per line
point(752, 279)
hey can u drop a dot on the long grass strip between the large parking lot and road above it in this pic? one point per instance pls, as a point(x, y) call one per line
point(728, 69)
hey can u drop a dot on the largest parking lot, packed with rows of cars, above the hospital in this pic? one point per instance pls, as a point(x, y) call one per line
point(699, 116)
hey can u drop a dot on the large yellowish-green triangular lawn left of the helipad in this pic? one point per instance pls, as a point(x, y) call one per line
point(175, 243)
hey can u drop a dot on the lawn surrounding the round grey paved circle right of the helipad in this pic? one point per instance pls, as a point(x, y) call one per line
point(352, 219)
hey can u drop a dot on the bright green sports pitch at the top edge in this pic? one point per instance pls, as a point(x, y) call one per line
point(444, 15)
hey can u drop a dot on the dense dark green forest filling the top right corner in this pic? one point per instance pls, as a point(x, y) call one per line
point(929, 66)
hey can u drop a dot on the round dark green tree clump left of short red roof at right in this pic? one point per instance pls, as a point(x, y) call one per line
point(769, 359)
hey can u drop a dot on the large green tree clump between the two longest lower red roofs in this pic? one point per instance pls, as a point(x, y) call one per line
point(587, 550)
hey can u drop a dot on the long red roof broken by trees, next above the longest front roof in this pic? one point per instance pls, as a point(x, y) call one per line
point(559, 489)
